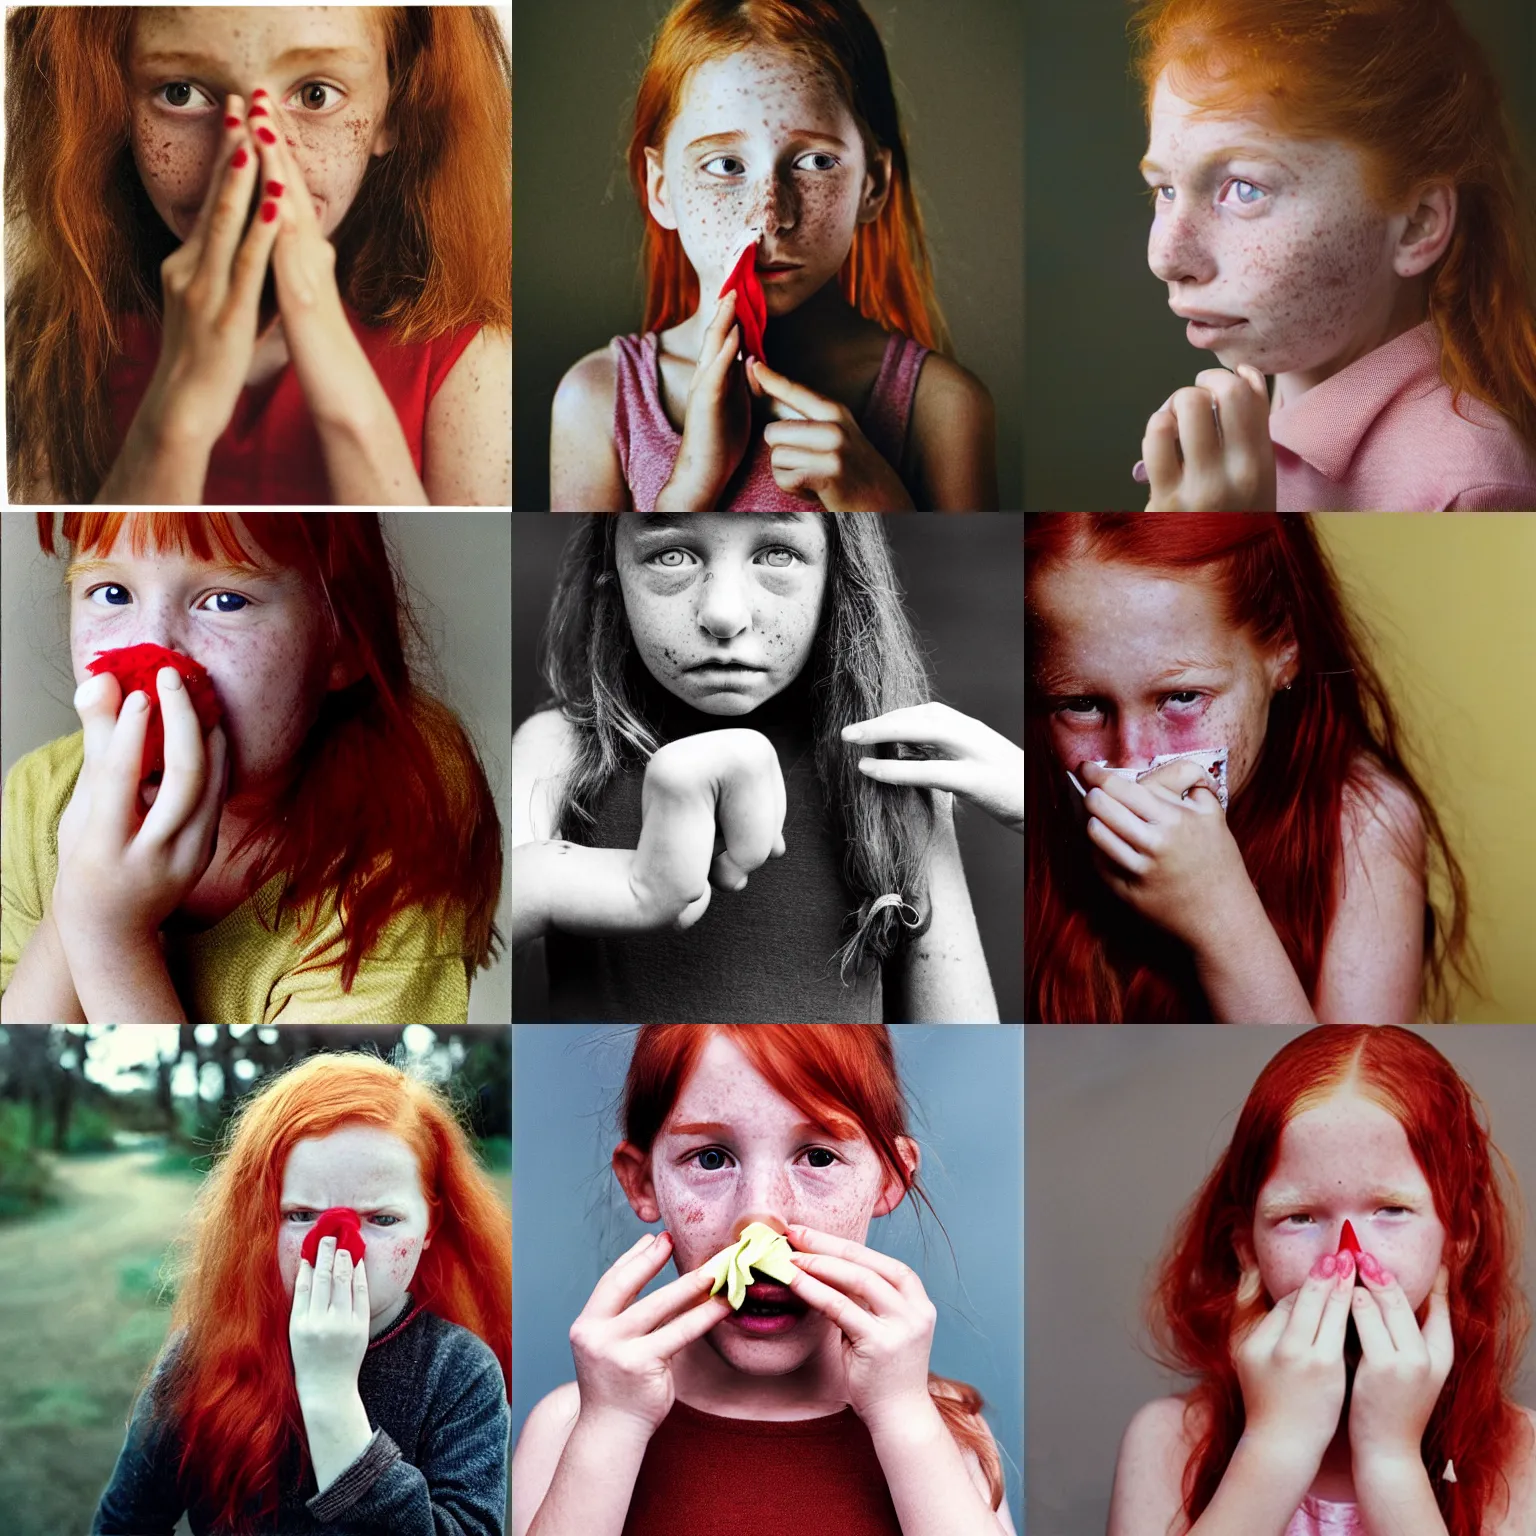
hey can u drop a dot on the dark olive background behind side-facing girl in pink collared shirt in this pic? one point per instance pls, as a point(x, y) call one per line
point(1104, 351)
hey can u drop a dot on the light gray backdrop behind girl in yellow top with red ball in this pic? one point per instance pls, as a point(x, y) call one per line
point(455, 566)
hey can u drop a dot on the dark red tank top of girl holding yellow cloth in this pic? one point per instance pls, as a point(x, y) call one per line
point(704, 1475)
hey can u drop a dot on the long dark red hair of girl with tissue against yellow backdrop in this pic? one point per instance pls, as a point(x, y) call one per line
point(1091, 959)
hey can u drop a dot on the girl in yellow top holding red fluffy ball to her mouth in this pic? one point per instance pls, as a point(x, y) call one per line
point(349, 867)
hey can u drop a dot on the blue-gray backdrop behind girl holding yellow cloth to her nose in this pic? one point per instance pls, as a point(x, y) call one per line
point(571, 1219)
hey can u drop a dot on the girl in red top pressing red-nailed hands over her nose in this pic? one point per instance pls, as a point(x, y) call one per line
point(165, 162)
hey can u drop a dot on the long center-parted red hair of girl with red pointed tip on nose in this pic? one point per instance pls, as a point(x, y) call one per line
point(1196, 1305)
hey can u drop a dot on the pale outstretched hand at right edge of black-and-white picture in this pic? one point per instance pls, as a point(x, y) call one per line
point(984, 767)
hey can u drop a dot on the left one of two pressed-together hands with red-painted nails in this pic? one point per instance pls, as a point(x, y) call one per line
point(211, 291)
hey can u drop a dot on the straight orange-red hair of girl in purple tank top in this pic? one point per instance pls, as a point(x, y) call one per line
point(887, 276)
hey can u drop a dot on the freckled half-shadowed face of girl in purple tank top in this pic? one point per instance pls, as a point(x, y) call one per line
point(764, 142)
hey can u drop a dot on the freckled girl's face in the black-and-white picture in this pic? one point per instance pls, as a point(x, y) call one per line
point(710, 588)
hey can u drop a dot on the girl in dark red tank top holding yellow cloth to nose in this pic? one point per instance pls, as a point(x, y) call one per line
point(838, 1415)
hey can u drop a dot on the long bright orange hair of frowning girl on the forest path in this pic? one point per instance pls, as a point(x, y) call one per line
point(231, 1395)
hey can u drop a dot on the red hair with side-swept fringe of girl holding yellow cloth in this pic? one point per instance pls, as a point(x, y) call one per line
point(835, 1076)
